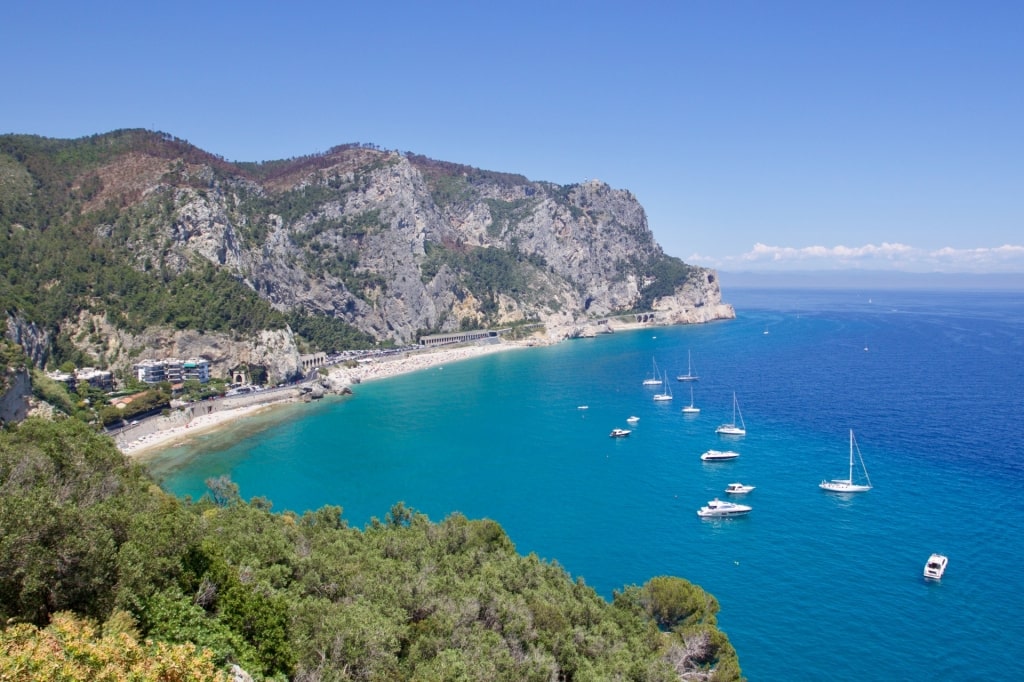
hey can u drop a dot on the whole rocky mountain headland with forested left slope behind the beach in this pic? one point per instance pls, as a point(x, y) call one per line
point(119, 245)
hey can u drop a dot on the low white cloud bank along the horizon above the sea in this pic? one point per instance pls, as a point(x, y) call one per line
point(885, 257)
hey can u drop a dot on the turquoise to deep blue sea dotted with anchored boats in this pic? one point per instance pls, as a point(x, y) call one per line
point(813, 586)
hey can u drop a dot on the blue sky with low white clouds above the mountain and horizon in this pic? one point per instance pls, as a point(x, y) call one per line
point(757, 135)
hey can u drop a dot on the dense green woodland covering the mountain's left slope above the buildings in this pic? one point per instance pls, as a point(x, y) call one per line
point(55, 263)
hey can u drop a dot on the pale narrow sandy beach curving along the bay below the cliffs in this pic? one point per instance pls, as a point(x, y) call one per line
point(180, 428)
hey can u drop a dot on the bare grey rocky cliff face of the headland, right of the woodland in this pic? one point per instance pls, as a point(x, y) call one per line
point(396, 245)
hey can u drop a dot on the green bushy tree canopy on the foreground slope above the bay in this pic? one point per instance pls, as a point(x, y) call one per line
point(307, 598)
